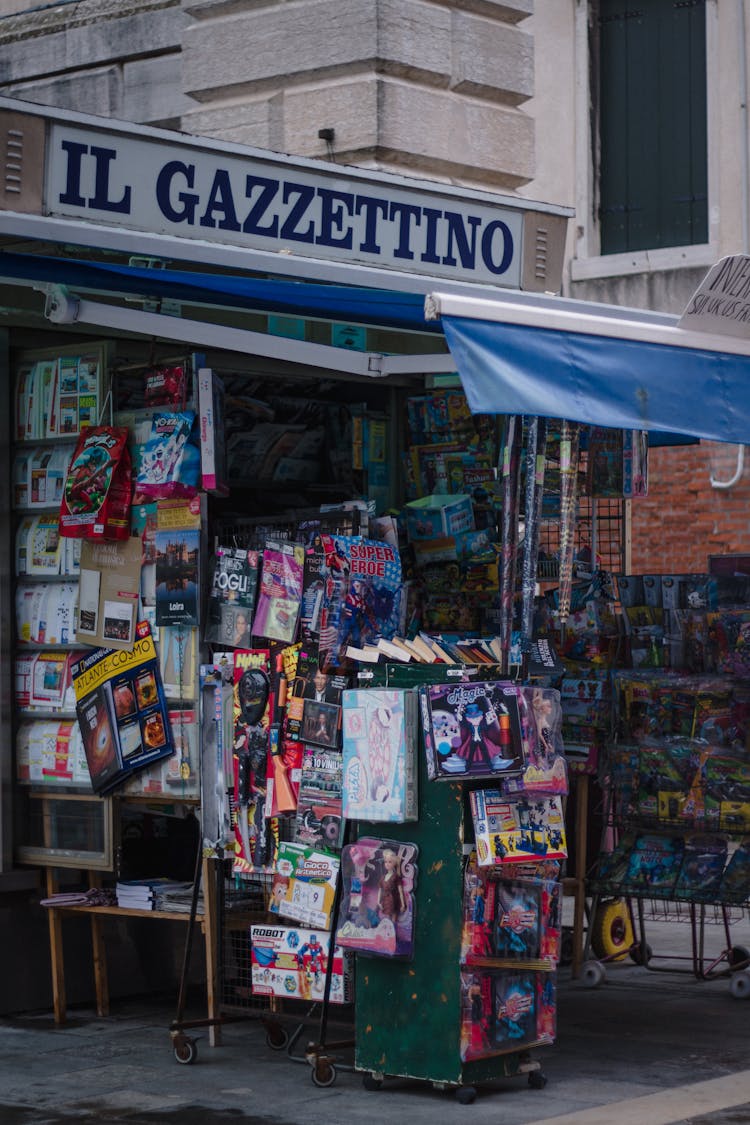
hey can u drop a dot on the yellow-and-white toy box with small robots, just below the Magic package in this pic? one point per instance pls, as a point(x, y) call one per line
point(511, 831)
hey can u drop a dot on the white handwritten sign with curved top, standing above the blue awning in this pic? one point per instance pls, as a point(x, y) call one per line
point(721, 304)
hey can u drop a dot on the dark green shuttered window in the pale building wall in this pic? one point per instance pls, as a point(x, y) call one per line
point(653, 173)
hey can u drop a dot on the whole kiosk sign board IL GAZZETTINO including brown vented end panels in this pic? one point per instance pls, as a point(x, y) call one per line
point(140, 179)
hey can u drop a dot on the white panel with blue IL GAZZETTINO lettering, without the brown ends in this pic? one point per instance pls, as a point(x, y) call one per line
point(282, 206)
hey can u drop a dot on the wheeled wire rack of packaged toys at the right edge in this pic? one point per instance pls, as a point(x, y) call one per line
point(677, 816)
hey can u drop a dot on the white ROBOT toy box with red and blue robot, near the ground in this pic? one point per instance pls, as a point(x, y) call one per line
point(292, 964)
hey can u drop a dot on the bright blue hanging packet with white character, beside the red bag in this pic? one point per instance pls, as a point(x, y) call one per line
point(170, 465)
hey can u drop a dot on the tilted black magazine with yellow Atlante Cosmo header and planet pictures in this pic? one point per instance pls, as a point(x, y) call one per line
point(122, 712)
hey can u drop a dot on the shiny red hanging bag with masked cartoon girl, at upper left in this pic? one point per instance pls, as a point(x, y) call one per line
point(96, 501)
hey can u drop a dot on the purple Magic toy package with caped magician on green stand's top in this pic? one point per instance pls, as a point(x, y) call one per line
point(472, 731)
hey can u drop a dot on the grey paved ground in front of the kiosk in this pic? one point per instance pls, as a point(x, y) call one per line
point(647, 1048)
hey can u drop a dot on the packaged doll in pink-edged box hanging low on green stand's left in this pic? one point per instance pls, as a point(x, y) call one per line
point(377, 911)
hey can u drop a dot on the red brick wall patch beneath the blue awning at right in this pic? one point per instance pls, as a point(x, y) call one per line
point(684, 520)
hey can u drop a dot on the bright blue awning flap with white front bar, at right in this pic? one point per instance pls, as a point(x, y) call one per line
point(612, 373)
